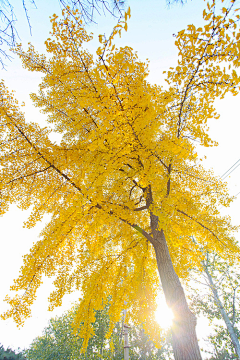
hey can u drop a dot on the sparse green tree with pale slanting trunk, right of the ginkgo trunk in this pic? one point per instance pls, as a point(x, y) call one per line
point(221, 305)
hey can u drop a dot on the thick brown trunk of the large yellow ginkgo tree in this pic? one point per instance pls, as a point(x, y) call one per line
point(184, 338)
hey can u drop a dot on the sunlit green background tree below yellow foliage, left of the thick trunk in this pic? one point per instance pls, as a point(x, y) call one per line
point(59, 342)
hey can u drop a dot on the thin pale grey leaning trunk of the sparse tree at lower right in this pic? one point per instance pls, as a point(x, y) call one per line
point(225, 317)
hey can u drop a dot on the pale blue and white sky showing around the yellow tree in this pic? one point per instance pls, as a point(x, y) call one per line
point(150, 33)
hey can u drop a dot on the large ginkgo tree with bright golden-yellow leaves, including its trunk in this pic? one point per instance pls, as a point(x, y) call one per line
point(124, 187)
